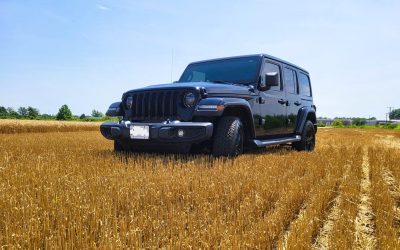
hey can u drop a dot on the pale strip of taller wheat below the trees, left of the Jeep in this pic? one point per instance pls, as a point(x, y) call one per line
point(27, 126)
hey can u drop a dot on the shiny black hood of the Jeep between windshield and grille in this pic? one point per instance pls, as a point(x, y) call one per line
point(211, 88)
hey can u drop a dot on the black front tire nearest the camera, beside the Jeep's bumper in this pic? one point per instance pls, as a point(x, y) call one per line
point(228, 137)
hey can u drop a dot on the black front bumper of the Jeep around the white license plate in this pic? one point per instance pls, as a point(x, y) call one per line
point(193, 132)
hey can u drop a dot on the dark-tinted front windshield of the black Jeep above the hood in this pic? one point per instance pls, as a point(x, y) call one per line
point(235, 70)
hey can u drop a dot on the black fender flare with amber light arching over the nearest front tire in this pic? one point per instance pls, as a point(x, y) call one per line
point(227, 105)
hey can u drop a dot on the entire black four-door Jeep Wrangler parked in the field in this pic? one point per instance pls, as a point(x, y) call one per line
point(220, 105)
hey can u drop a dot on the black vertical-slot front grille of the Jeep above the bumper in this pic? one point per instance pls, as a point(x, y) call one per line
point(155, 105)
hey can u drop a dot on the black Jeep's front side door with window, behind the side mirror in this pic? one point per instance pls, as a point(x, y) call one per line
point(272, 104)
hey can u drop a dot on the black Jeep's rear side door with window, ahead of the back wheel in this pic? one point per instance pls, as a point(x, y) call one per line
point(292, 96)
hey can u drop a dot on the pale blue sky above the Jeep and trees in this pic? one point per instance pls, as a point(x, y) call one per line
point(87, 53)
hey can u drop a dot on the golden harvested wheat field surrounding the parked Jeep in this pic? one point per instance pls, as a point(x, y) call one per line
point(68, 190)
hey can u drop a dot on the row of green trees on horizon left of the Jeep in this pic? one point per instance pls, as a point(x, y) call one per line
point(64, 113)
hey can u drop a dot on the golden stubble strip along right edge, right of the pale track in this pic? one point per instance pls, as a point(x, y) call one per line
point(385, 203)
